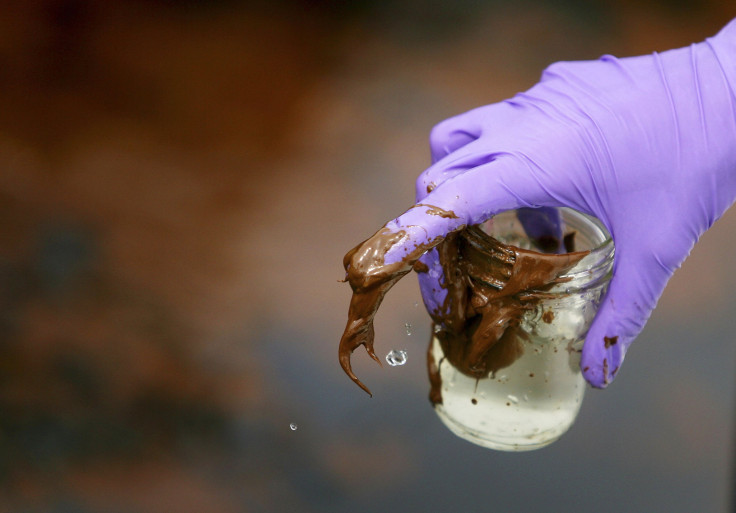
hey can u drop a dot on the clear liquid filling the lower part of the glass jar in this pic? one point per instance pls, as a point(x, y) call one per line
point(523, 407)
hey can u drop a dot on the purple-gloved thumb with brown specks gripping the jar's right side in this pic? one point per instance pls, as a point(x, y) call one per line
point(631, 297)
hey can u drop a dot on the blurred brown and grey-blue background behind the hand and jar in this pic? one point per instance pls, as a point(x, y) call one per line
point(179, 181)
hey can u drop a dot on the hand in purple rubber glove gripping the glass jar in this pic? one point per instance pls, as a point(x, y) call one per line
point(645, 144)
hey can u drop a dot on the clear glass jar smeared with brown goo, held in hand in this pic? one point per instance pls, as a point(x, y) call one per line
point(534, 400)
